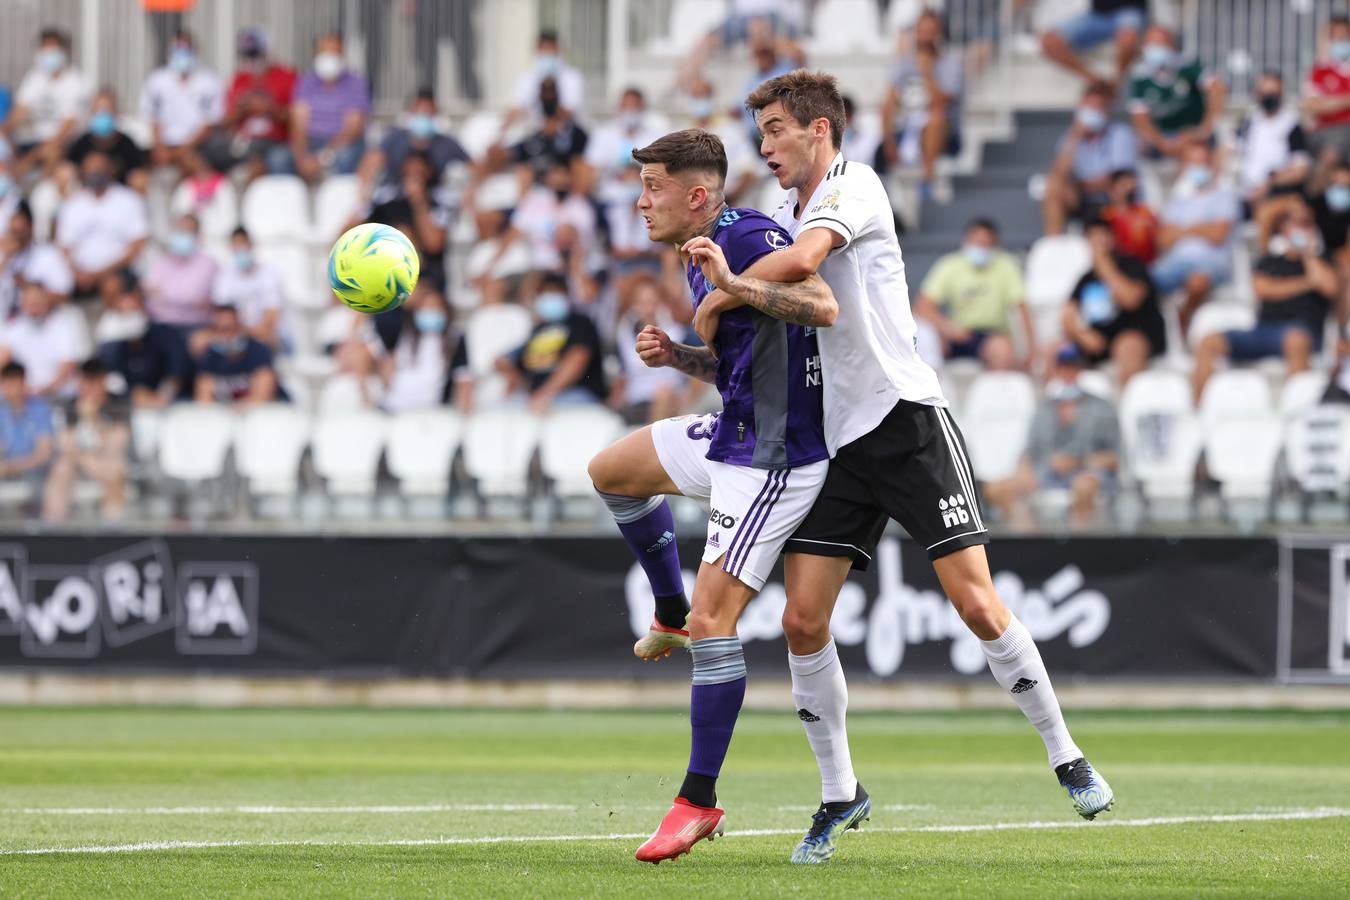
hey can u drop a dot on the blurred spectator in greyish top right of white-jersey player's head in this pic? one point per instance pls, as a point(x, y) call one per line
point(921, 115)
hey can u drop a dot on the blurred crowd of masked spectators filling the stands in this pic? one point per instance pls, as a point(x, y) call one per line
point(129, 283)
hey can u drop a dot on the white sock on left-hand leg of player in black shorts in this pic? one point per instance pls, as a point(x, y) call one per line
point(821, 700)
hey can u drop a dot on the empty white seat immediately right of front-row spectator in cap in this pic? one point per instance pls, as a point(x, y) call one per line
point(1162, 434)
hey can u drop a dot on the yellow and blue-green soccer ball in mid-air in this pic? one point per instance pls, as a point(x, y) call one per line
point(373, 268)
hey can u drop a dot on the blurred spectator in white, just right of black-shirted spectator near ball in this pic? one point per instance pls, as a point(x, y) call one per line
point(502, 257)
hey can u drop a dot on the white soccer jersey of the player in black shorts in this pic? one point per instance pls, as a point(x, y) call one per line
point(869, 356)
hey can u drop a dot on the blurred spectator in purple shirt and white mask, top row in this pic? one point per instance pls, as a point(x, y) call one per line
point(329, 117)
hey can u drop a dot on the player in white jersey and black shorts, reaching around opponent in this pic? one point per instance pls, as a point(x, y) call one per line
point(896, 450)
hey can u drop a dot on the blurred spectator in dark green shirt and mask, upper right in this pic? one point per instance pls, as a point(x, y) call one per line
point(1172, 101)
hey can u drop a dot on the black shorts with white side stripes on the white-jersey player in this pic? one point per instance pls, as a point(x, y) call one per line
point(915, 469)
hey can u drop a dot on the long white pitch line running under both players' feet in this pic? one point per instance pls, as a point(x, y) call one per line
point(1290, 816)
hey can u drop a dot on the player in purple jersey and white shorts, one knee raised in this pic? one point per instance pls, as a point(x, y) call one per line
point(759, 463)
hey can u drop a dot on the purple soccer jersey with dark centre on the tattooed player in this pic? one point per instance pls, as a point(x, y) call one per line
point(769, 372)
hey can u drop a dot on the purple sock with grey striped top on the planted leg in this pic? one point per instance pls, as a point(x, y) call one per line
point(715, 705)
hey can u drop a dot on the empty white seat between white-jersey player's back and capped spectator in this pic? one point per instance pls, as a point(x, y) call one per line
point(997, 422)
